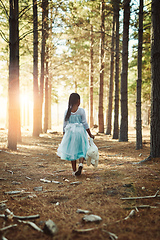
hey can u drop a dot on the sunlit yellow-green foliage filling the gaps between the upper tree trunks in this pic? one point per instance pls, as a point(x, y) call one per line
point(69, 46)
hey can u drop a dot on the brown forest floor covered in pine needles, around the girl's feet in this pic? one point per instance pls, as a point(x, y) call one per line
point(99, 190)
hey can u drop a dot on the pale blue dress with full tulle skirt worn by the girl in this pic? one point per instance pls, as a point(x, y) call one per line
point(75, 142)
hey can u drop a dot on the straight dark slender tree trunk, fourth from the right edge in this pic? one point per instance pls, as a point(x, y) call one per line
point(116, 100)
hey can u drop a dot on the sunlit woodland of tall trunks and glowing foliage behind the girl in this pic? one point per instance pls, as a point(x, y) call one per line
point(71, 46)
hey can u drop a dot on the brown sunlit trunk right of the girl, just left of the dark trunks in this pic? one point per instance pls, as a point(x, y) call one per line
point(102, 56)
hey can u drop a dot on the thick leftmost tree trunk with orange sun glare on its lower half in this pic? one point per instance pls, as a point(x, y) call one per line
point(14, 105)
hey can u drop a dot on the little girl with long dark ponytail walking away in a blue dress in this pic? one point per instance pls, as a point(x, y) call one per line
point(75, 143)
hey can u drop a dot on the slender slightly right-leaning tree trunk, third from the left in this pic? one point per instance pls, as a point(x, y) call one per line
point(43, 48)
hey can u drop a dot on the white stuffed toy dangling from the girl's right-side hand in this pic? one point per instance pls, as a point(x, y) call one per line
point(92, 155)
